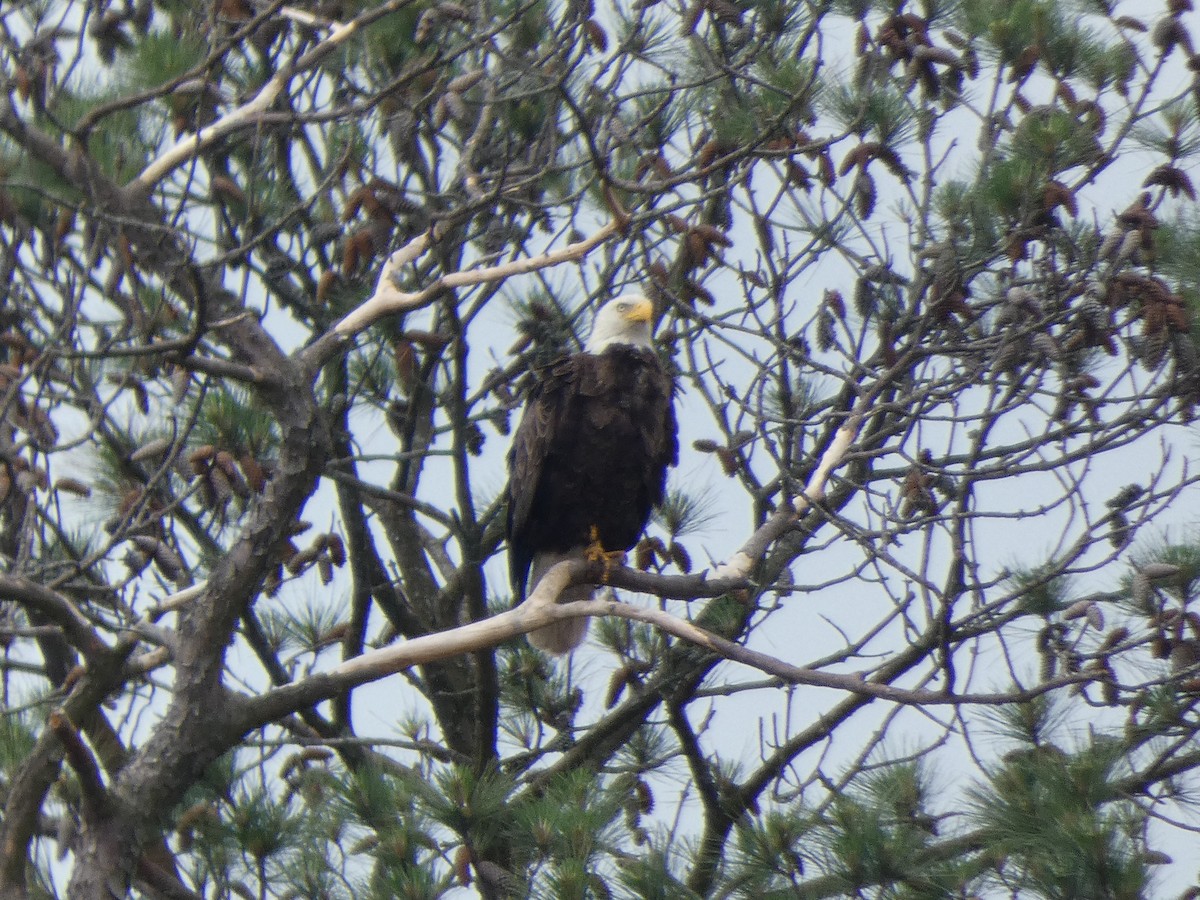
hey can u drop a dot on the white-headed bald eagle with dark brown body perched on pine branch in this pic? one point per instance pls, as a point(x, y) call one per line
point(590, 459)
